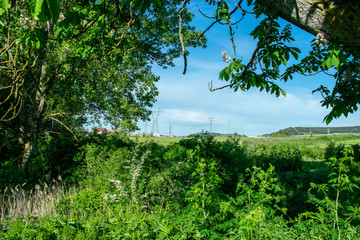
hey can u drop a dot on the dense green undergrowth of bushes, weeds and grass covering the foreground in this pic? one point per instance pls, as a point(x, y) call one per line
point(196, 188)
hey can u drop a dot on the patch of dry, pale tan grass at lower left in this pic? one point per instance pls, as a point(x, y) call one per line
point(39, 201)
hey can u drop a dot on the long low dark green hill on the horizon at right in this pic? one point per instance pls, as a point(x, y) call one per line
point(316, 130)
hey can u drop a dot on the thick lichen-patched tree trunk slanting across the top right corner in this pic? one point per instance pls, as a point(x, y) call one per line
point(337, 22)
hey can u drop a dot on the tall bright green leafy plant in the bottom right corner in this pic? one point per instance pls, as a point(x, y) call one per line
point(333, 203)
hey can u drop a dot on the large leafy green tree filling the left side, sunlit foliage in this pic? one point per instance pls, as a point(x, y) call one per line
point(65, 64)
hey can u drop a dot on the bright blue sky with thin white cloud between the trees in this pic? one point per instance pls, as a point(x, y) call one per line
point(186, 103)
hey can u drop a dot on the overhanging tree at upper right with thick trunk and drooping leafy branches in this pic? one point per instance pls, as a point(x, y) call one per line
point(335, 25)
